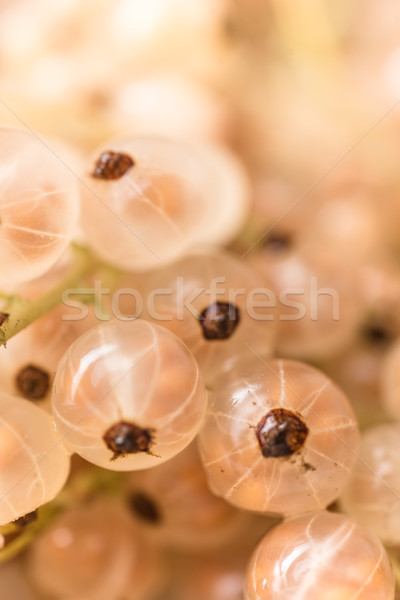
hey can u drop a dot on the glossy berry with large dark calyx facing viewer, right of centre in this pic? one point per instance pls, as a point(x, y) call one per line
point(282, 439)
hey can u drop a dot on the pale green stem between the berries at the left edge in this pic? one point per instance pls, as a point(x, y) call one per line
point(18, 312)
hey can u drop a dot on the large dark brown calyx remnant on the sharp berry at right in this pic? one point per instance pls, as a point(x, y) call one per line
point(281, 433)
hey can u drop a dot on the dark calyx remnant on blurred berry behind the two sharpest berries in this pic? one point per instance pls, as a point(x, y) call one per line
point(219, 320)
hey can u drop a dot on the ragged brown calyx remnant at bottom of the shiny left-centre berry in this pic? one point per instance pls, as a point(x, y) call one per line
point(127, 438)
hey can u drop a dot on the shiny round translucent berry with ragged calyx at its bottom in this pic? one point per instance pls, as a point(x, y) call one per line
point(128, 395)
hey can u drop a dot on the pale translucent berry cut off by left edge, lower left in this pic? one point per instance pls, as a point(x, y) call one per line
point(34, 463)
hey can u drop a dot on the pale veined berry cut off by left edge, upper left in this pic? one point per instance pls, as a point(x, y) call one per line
point(39, 206)
